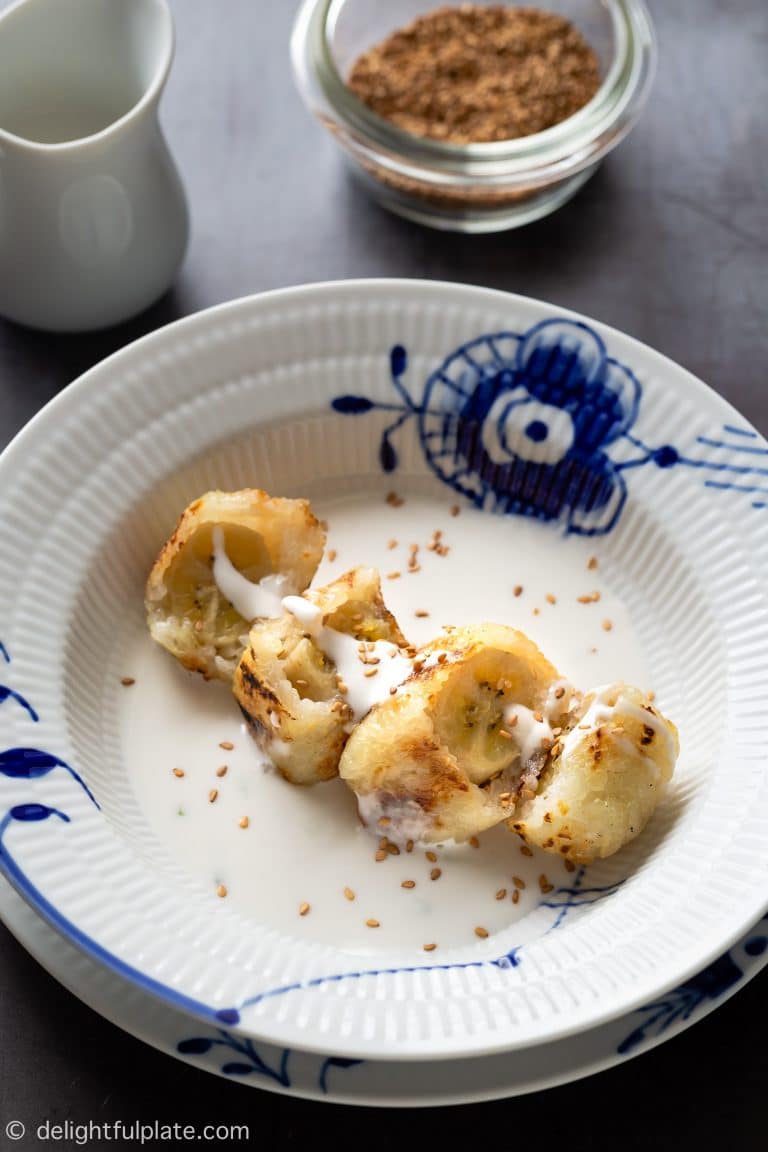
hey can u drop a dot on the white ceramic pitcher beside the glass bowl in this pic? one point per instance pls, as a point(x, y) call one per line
point(94, 221)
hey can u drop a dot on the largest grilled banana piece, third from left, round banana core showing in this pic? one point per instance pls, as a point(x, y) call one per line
point(447, 755)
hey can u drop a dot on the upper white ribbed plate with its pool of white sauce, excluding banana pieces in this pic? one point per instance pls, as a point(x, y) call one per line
point(635, 461)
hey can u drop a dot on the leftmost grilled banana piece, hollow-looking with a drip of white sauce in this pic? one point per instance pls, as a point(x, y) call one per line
point(246, 536)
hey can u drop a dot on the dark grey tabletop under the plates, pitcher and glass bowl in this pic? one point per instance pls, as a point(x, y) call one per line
point(668, 244)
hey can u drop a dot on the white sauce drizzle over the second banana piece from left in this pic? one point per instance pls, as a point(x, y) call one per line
point(362, 692)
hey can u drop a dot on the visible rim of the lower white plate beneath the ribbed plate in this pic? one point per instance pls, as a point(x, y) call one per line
point(384, 1083)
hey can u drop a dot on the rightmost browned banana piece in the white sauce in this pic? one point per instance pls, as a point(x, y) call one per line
point(605, 778)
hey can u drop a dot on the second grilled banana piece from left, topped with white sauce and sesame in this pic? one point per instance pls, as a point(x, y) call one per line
point(306, 678)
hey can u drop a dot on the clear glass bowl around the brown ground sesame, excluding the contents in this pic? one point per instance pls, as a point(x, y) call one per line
point(472, 187)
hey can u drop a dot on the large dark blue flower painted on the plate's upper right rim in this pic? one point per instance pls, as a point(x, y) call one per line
point(541, 425)
